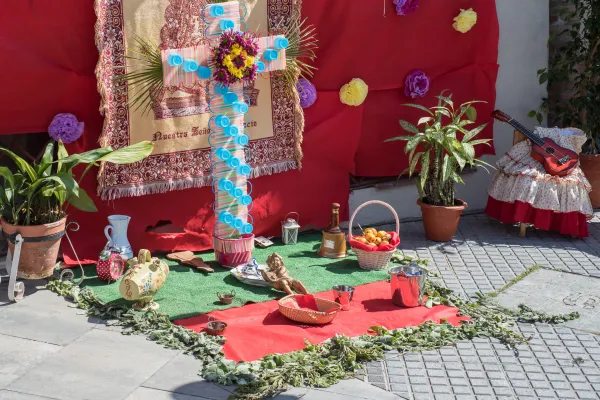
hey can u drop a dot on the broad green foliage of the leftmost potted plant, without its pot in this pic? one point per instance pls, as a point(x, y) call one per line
point(39, 193)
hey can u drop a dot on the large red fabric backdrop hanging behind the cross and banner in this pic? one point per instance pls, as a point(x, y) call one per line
point(49, 59)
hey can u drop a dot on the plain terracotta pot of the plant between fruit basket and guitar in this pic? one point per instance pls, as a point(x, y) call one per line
point(440, 222)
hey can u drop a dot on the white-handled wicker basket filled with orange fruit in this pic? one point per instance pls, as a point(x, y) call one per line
point(373, 248)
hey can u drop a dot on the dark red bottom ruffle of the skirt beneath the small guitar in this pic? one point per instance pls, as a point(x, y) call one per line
point(572, 223)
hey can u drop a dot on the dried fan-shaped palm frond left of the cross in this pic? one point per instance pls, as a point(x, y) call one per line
point(145, 78)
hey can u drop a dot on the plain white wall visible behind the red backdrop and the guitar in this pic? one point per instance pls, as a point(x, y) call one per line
point(524, 32)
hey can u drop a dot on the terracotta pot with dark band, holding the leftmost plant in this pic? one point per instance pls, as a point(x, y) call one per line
point(37, 258)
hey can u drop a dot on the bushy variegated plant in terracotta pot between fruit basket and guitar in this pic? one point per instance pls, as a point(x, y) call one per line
point(442, 146)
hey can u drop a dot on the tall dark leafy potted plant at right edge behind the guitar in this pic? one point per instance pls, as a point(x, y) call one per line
point(574, 72)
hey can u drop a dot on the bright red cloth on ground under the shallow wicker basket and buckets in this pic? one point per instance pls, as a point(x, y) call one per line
point(256, 330)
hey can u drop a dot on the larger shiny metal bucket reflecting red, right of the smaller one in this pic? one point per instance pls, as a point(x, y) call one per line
point(408, 283)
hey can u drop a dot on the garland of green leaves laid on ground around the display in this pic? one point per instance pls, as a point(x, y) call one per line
point(323, 364)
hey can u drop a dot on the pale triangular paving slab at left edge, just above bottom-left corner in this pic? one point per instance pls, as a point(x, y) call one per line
point(18, 355)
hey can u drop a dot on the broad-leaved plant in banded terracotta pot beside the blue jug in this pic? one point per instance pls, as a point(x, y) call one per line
point(34, 199)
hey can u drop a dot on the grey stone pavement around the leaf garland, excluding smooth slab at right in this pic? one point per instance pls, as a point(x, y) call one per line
point(49, 351)
